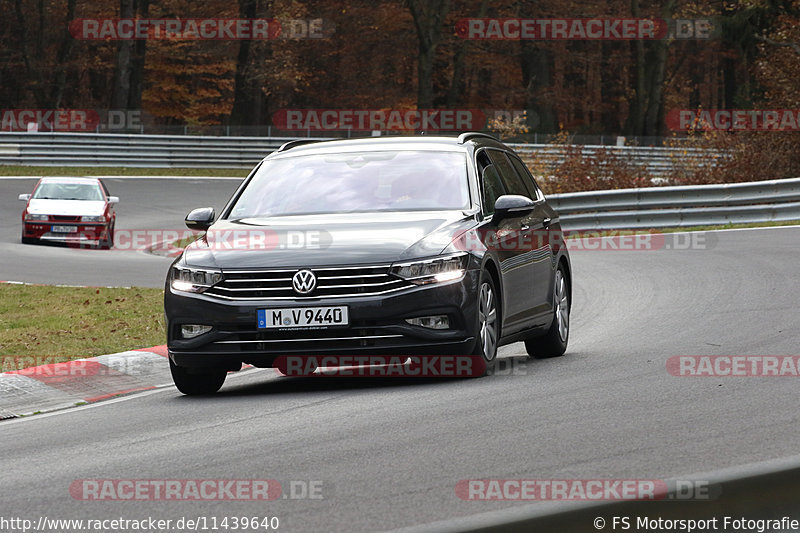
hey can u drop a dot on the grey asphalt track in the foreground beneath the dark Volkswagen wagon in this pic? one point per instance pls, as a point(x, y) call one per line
point(388, 453)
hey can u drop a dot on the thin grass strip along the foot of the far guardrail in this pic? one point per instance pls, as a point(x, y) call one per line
point(18, 170)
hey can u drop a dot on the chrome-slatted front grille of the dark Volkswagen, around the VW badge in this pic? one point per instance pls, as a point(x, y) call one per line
point(331, 282)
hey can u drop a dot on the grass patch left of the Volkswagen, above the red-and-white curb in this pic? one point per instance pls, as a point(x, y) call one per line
point(65, 323)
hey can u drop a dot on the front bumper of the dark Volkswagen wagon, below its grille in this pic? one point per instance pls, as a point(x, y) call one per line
point(377, 326)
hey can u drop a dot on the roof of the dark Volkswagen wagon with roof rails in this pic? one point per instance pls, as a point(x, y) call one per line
point(391, 142)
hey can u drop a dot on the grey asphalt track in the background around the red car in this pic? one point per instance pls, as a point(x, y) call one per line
point(148, 207)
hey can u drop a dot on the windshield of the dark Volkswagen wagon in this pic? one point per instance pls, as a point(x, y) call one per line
point(356, 182)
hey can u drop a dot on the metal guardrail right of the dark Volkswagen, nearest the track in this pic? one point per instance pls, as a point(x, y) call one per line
point(693, 205)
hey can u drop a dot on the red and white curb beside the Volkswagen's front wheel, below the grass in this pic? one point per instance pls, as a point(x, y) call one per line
point(57, 386)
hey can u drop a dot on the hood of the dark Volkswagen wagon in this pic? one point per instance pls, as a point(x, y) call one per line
point(308, 241)
